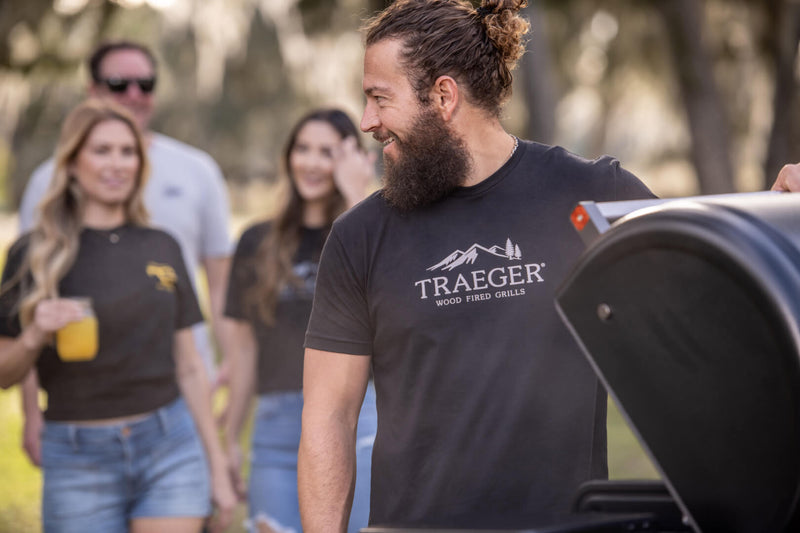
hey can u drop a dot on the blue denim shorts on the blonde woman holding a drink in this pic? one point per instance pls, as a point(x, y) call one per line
point(99, 478)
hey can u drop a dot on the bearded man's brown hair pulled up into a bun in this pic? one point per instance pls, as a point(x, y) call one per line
point(479, 47)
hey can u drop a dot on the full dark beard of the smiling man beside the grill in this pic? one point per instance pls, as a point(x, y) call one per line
point(432, 162)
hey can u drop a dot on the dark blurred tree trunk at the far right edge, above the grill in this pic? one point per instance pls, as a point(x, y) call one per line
point(784, 19)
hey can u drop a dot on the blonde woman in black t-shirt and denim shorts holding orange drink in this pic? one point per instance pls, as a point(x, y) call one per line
point(129, 442)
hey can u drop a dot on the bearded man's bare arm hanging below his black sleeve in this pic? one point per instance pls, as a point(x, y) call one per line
point(333, 390)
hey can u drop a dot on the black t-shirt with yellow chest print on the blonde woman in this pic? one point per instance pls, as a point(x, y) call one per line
point(141, 294)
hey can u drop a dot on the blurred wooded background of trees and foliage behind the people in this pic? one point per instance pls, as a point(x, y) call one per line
point(694, 96)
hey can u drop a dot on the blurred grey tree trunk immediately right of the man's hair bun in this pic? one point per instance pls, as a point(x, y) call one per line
point(537, 77)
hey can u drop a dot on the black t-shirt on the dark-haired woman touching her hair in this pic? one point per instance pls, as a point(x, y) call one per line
point(280, 346)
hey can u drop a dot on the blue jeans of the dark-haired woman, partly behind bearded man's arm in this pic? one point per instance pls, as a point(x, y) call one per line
point(272, 493)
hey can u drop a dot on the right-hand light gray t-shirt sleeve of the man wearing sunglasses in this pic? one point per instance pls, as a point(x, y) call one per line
point(216, 240)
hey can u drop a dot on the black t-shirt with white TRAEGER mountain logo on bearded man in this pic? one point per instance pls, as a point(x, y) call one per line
point(488, 414)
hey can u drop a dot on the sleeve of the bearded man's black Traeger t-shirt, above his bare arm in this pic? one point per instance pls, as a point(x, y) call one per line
point(340, 315)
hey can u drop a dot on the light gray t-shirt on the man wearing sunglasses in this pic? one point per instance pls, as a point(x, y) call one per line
point(185, 195)
